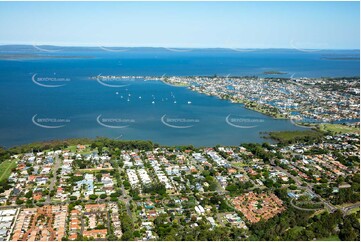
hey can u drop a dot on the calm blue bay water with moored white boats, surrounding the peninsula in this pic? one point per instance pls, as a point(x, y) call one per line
point(88, 109)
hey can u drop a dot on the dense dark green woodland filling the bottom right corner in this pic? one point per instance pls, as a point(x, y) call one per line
point(295, 224)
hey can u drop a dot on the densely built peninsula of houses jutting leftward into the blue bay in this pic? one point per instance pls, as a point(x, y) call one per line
point(306, 100)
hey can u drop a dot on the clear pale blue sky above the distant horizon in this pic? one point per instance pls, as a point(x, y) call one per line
point(303, 25)
